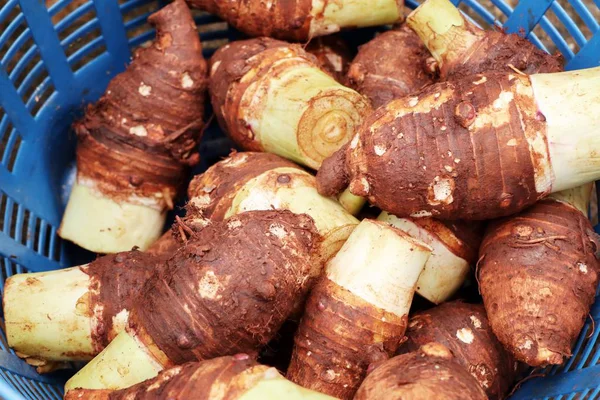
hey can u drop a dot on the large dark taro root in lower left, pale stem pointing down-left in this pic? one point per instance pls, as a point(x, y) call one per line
point(228, 290)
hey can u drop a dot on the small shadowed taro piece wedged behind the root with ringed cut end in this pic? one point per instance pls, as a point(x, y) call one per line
point(333, 54)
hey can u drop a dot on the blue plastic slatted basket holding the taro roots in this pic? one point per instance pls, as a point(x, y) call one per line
point(54, 60)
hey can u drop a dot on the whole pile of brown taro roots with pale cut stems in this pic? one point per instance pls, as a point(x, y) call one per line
point(405, 219)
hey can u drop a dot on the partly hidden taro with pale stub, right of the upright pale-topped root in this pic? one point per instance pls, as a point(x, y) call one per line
point(455, 246)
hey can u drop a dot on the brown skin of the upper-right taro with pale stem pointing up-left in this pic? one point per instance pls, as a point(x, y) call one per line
point(497, 51)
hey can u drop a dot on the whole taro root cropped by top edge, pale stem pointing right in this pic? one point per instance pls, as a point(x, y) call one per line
point(301, 20)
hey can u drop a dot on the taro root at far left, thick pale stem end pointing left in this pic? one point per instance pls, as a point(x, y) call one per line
point(72, 314)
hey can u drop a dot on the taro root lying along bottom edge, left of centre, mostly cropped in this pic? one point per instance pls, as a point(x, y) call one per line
point(224, 378)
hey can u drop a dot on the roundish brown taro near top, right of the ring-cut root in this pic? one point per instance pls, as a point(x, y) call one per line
point(393, 65)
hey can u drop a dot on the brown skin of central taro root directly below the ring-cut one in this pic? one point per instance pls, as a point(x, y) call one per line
point(218, 186)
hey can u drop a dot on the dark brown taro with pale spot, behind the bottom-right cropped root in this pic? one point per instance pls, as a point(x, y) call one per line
point(464, 329)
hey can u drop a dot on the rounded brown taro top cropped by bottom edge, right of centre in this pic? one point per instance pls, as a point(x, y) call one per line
point(428, 373)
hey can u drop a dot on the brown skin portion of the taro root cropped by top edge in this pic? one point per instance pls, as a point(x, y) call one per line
point(283, 19)
